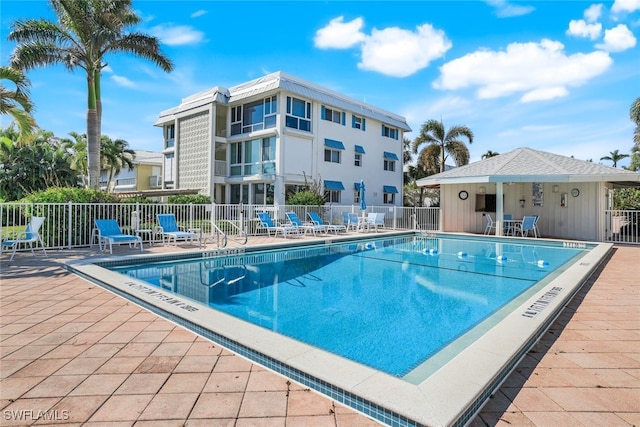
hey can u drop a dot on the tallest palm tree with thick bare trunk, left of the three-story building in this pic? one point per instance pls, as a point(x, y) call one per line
point(86, 31)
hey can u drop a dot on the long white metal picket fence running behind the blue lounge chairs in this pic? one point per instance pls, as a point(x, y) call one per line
point(69, 225)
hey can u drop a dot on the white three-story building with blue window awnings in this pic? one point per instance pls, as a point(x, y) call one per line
point(259, 141)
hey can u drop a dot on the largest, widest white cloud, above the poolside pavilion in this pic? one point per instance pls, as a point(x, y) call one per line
point(539, 71)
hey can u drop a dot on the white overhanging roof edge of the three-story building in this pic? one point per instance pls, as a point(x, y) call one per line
point(289, 83)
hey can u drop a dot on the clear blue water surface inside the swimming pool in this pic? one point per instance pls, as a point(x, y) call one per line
point(390, 303)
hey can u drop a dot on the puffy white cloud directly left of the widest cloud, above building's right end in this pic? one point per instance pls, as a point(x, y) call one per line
point(400, 53)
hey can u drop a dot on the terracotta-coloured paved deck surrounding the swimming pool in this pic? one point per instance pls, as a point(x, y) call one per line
point(73, 353)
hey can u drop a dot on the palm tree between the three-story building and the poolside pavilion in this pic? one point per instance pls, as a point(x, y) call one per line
point(441, 144)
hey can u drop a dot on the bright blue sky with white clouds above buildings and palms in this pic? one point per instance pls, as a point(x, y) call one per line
point(557, 76)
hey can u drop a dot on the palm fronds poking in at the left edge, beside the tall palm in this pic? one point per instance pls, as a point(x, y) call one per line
point(16, 103)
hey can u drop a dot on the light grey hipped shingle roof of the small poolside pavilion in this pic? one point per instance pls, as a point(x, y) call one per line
point(529, 165)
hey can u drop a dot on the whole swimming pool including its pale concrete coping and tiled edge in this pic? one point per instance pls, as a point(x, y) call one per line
point(357, 319)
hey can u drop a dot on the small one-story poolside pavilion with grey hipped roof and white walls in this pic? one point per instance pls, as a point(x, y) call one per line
point(570, 196)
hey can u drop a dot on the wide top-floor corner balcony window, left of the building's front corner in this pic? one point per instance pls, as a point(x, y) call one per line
point(254, 116)
